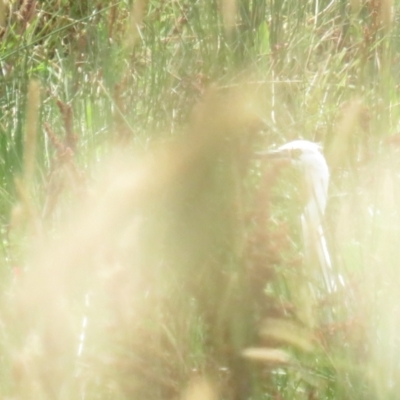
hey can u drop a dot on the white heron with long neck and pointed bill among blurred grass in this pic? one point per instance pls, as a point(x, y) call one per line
point(308, 158)
